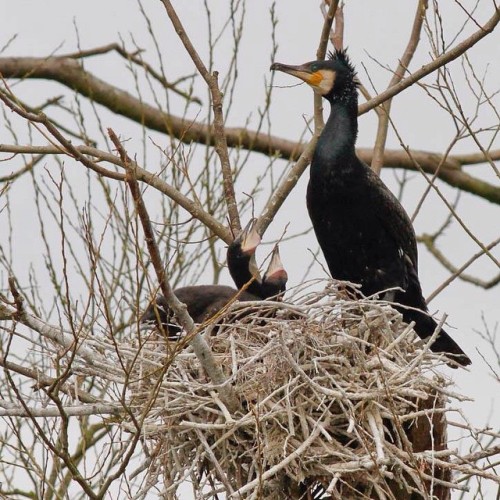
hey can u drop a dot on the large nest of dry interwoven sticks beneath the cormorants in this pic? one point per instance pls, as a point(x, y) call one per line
point(337, 399)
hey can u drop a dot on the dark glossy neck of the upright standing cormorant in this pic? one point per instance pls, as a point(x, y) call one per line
point(338, 138)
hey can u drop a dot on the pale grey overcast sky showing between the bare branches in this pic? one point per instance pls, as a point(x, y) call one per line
point(374, 30)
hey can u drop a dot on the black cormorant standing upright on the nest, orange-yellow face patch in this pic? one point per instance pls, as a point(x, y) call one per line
point(362, 229)
